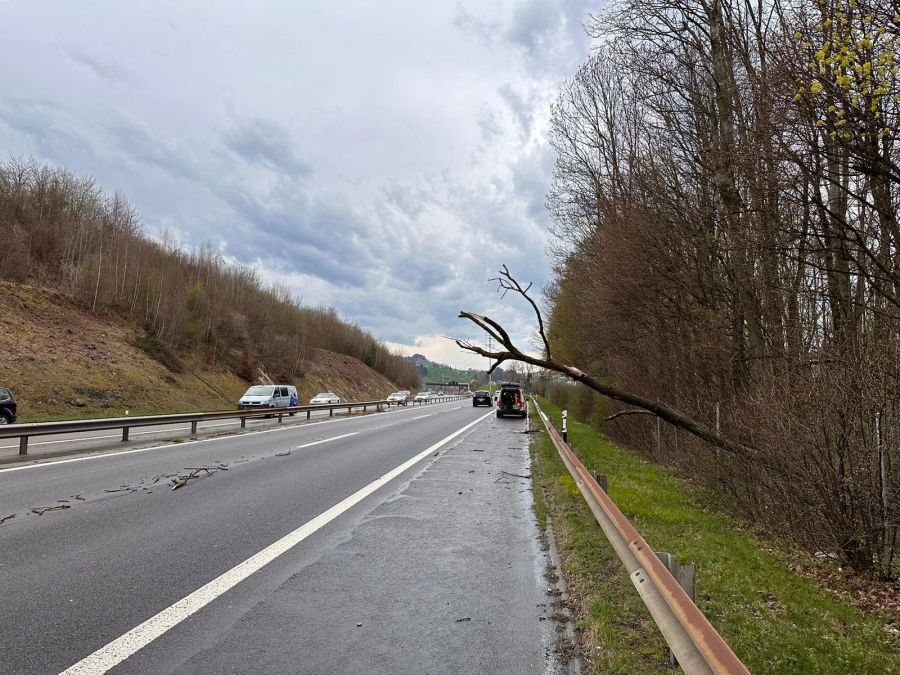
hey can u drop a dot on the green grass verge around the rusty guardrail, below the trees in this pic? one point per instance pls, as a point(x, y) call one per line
point(775, 620)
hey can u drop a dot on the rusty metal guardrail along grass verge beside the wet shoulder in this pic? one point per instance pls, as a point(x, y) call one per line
point(692, 639)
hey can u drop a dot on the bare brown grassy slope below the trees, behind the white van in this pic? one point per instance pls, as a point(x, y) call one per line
point(64, 362)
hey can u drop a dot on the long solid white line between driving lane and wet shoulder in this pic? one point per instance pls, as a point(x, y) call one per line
point(137, 638)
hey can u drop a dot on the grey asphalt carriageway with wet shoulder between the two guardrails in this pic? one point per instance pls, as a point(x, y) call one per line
point(395, 542)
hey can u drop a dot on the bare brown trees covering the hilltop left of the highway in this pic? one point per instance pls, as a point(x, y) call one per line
point(62, 231)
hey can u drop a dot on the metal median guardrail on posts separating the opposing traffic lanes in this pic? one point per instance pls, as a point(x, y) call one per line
point(25, 431)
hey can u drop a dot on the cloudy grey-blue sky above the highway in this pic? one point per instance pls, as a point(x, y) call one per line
point(384, 158)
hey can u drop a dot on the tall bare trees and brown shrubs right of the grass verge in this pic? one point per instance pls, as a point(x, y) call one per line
point(726, 241)
